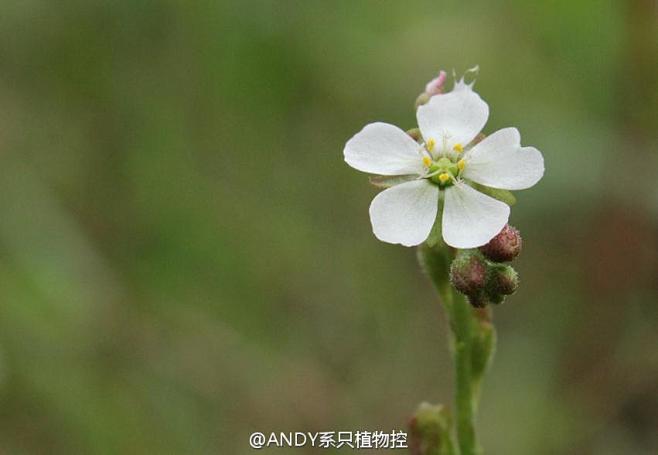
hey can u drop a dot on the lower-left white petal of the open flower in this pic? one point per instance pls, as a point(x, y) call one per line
point(405, 213)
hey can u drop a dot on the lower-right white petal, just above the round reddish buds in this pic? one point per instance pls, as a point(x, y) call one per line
point(470, 218)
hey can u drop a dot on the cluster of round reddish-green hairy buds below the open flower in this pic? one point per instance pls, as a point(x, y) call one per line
point(481, 274)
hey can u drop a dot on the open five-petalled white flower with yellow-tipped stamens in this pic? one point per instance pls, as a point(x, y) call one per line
point(443, 166)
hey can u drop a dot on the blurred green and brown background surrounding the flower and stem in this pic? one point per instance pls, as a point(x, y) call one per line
point(185, 258)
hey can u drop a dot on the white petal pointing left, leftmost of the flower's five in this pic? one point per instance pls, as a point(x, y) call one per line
point(380, 148)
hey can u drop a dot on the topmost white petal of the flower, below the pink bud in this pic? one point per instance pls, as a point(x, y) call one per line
point(456, 117)
